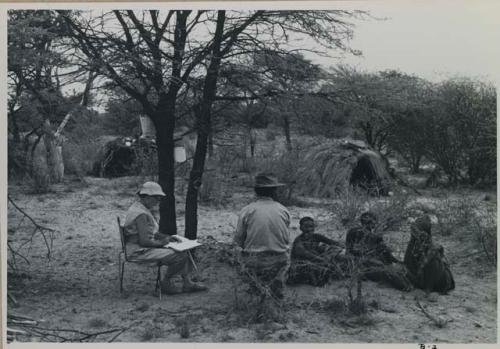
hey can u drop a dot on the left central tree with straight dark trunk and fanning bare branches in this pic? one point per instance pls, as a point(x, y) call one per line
point(146, 56)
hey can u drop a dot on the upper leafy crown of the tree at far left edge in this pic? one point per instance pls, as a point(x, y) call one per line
point(33, 63)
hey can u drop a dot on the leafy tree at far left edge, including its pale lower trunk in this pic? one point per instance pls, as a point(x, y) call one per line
point(37, 72)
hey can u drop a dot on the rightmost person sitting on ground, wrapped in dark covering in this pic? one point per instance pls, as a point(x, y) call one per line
point(425, 260)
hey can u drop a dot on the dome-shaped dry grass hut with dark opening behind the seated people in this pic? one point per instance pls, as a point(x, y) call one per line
point(335, 165)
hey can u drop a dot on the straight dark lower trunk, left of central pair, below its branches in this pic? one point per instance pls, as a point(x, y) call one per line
point(165, 124)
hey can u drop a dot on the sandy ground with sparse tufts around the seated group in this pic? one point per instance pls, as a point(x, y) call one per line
point(78, 287)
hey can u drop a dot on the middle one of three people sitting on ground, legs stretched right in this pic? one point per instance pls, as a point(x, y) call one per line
point(373, 256)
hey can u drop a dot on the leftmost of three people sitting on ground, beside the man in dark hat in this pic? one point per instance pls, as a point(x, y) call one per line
point(315, 258)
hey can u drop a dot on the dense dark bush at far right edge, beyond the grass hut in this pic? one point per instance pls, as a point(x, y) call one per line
point(460, 134)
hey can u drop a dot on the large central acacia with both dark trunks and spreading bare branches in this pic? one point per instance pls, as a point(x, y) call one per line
point(153, 56)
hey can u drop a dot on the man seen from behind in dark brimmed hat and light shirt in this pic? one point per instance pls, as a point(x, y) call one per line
point(263, 235)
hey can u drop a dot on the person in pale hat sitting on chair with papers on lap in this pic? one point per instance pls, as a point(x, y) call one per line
point(146, 245)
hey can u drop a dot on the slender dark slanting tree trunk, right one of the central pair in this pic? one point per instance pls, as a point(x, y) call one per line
point(204, 122)
